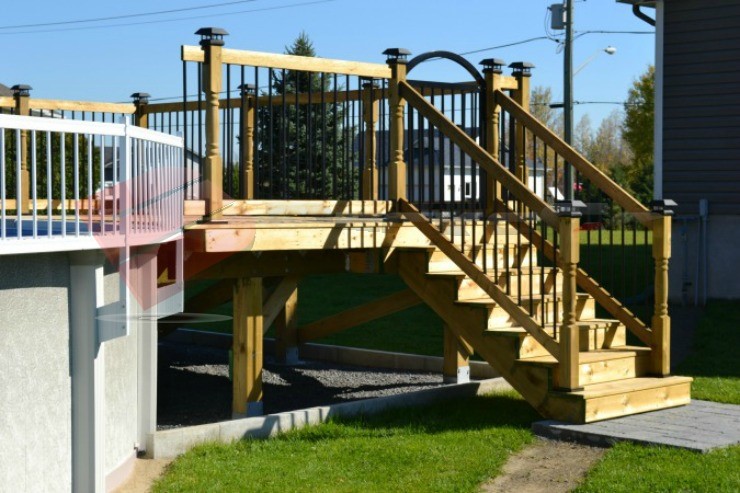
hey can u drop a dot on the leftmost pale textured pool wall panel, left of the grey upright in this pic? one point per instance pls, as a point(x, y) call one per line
point(35, 393)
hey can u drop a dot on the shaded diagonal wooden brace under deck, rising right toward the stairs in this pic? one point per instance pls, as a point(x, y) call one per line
point(358, 315)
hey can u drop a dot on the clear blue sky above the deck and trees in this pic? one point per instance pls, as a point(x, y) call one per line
point(110, 59)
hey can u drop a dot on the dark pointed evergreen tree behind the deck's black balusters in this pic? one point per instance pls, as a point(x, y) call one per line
point(304, 148)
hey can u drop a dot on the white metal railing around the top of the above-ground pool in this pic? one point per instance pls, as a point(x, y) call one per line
point(91, 184)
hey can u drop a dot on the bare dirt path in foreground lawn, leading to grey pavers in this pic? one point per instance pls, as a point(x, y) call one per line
point(546, 466)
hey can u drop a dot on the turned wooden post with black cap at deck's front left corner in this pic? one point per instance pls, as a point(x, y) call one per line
point(212, 43)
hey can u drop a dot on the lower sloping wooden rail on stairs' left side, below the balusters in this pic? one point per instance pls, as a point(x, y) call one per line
point(475, 273)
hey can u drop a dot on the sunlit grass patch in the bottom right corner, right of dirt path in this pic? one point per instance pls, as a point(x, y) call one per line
point(633, 468)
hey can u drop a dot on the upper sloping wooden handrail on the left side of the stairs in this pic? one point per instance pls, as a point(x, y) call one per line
point(490, 164)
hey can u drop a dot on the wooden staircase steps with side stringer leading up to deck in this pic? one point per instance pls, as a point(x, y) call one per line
point(614, 376)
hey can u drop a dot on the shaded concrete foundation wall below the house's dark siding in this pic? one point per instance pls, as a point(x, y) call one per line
point(723, 262)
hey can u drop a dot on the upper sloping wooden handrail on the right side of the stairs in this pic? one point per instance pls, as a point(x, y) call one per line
point(595, 175)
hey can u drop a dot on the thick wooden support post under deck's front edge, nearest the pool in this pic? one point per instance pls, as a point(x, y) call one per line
point(247, 348)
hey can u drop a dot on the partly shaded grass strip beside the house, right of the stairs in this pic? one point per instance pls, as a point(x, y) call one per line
point(714, 361)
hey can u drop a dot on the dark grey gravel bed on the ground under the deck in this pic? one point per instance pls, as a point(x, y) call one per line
point(194, 386)
